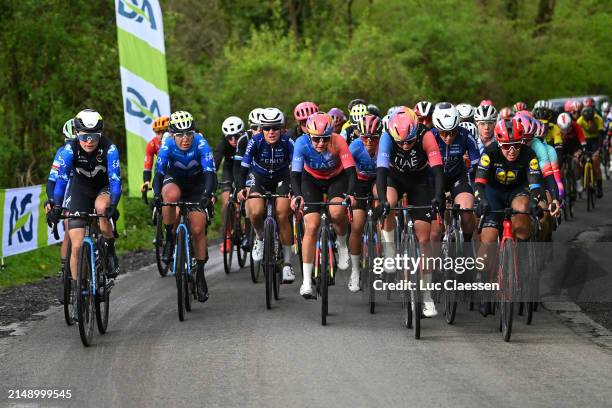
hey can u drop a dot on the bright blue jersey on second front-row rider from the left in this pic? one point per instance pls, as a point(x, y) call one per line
point(190, 163)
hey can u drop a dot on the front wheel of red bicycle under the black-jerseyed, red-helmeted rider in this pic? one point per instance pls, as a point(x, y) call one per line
point(507, 281)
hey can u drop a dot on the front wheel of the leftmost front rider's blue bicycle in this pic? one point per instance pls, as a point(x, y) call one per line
point(85, 298)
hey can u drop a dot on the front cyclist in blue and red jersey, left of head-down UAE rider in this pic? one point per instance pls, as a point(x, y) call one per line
point(322, 162)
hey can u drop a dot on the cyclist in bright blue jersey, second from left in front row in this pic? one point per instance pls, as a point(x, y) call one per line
point(185, 170)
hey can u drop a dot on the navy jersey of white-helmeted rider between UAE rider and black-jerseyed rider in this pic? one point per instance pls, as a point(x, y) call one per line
point(452, 155)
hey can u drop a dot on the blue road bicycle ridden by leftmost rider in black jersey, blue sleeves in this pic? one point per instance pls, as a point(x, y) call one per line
point(93, 286)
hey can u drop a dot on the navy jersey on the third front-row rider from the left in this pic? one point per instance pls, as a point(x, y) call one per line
point(268, 160)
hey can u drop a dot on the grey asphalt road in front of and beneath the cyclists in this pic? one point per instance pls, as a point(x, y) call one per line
point(231, 351)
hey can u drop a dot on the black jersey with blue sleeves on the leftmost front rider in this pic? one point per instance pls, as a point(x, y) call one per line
point(97, 170)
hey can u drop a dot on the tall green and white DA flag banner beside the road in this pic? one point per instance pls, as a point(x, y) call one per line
point(144, 81)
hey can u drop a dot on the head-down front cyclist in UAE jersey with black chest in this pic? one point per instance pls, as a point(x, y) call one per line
point(404, 153)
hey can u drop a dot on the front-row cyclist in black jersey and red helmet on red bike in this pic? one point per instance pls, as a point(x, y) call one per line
point(508, 175)
